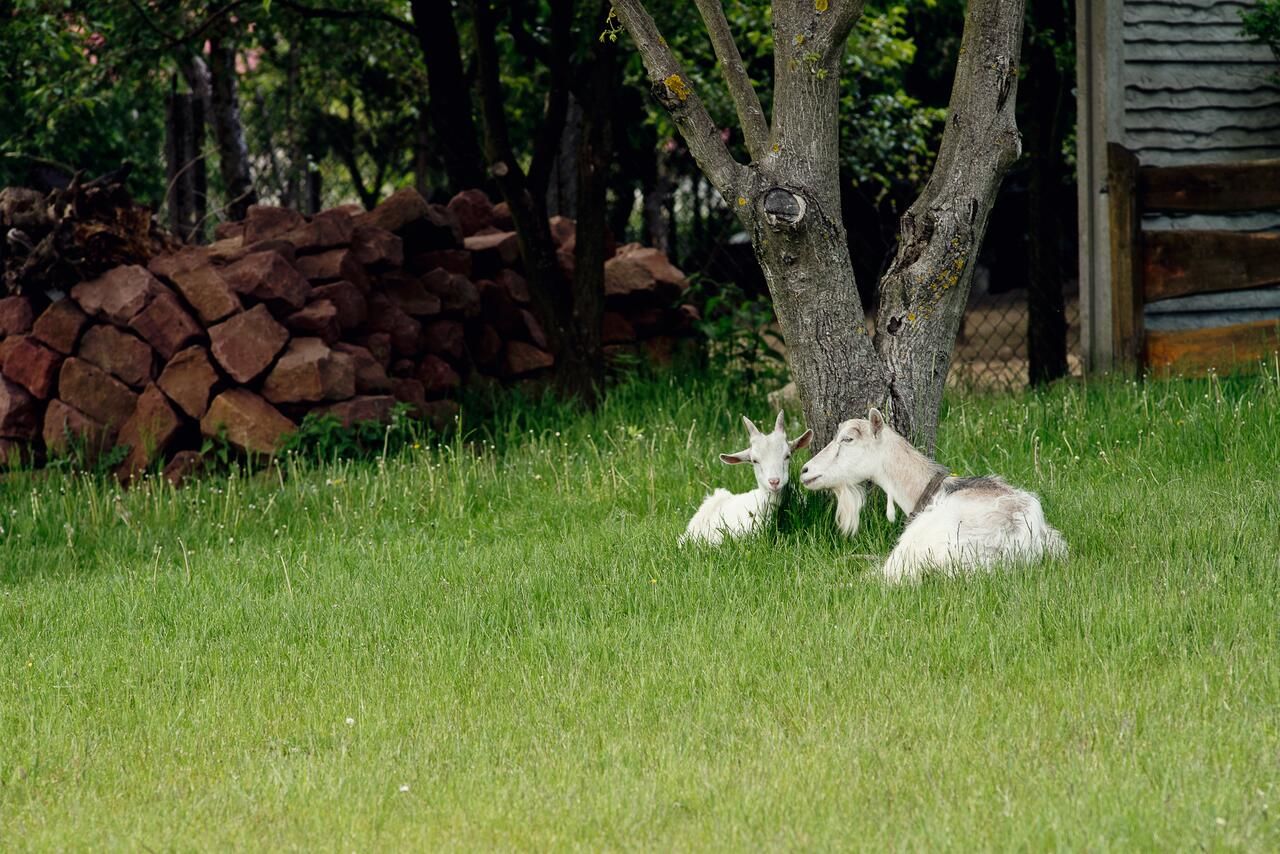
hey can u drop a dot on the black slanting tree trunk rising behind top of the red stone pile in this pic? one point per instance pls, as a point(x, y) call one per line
point(449, 103)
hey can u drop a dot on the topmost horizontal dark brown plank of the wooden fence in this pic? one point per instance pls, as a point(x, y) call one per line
point(1254, 185)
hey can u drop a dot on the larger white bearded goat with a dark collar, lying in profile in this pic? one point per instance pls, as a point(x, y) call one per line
point(956, 524)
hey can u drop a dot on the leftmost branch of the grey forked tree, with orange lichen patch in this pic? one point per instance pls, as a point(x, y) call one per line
point(670, 85)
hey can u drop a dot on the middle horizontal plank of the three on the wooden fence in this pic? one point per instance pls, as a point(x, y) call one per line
point(1178, 264)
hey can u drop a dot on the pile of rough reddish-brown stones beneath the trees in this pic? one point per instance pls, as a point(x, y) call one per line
point(349, 314)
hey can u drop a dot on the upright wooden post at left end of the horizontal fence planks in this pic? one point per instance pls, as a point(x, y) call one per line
point(1126, 227)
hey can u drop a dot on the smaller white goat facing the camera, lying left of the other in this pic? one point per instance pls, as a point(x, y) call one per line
point(723, 514)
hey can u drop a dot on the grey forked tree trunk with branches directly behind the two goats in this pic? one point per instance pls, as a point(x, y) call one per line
point(789, 202)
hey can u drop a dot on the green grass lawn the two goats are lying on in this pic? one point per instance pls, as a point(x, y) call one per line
point(505, 649)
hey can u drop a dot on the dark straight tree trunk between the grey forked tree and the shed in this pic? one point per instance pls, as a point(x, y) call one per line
point(1045, 111)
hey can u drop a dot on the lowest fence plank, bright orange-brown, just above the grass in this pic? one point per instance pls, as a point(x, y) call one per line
point(1223, 349)
